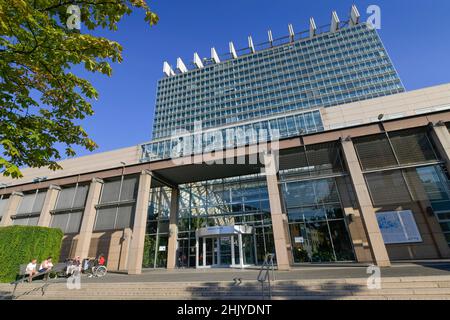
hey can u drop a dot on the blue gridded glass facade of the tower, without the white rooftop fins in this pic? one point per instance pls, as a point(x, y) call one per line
point(330, 69)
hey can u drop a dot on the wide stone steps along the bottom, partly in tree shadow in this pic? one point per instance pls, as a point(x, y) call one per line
point(404, 288)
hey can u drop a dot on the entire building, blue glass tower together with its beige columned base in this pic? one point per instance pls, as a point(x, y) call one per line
point(360, 174)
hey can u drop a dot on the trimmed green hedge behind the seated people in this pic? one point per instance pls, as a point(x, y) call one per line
point(20, 244)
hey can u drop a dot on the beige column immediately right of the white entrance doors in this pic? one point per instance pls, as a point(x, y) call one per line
point(279, 219)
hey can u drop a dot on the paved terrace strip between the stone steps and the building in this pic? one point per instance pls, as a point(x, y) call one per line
point(298, 273)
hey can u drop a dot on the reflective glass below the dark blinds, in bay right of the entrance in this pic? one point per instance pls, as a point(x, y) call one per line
point(316, 221)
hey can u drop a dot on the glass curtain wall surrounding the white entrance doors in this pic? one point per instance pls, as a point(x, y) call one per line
point(232, 201)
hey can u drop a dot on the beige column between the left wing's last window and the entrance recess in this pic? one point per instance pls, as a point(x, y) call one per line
point(136, 253)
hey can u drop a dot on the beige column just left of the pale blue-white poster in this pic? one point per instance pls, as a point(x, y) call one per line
point(377, 246)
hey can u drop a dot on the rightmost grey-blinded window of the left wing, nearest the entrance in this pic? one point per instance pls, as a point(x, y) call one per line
point(117, 204)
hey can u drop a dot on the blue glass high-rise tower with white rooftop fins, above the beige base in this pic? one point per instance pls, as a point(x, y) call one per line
point(278, 85)
